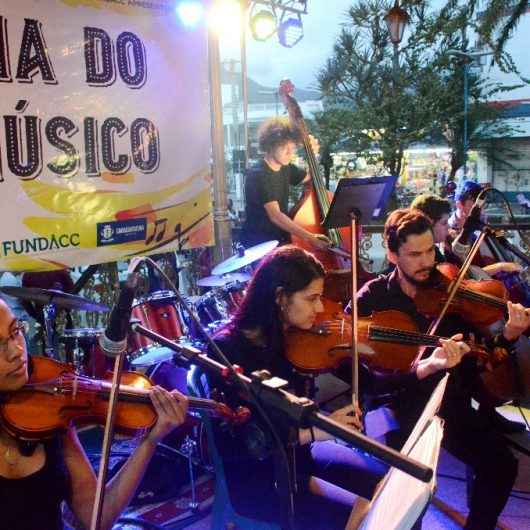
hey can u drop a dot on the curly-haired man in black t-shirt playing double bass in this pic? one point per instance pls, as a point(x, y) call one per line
point(267, 188)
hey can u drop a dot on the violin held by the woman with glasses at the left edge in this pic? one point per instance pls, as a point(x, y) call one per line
point(56, 396)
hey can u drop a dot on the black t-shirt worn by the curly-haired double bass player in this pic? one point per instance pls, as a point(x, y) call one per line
point(263, 185)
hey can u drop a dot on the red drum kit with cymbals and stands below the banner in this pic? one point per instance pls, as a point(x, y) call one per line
point(161, 312)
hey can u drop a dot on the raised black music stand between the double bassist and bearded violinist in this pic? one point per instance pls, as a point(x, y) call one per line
point(357, 199)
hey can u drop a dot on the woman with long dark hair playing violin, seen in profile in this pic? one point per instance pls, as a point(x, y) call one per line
point(286, 292)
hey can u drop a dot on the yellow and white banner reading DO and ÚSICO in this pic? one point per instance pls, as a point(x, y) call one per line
point(105, 144)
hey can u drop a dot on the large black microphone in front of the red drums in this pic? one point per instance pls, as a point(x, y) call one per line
point(113, 341)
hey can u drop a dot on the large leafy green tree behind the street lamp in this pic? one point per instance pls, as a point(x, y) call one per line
point(372, 104)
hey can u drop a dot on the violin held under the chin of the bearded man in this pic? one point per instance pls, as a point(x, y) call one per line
point(478, 302)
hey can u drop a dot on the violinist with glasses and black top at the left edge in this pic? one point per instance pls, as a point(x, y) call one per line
point(36, 478)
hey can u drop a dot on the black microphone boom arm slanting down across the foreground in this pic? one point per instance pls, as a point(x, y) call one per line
point(300, 411)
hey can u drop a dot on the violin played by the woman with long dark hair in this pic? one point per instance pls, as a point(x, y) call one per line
point(388, 340)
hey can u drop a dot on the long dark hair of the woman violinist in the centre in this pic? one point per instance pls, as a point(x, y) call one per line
point(288, 268)
